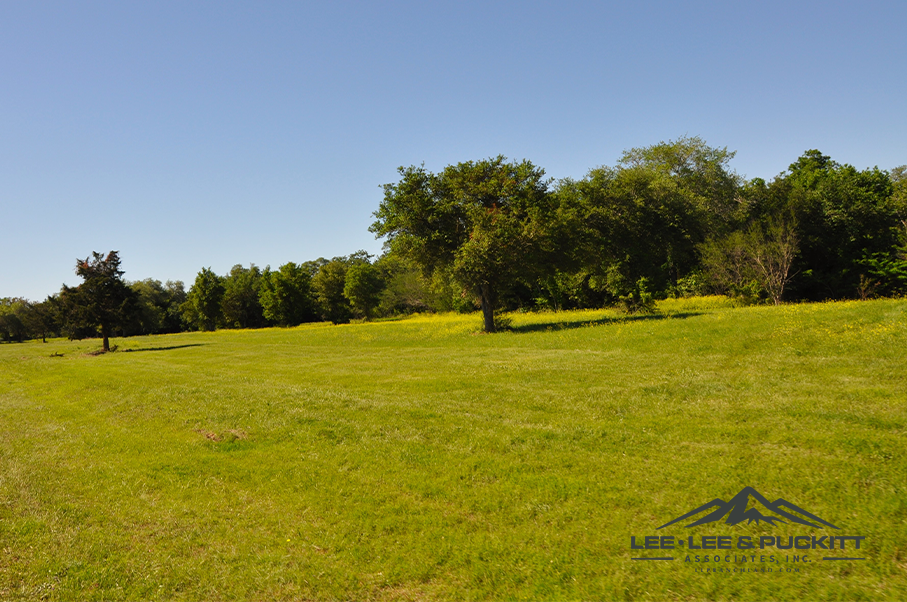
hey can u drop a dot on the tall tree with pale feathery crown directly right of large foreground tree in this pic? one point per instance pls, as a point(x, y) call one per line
point(644, 218)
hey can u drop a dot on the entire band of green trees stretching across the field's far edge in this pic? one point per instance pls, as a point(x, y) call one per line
point(668, 220)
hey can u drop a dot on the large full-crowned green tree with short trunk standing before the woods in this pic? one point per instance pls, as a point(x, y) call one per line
point(485, 221)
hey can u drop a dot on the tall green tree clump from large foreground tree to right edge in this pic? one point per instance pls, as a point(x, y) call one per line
point(590, 242)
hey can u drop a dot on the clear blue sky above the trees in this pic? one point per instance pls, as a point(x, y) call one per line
point(189, 135)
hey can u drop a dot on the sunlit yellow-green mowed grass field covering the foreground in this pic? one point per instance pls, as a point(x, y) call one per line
point(416, 459)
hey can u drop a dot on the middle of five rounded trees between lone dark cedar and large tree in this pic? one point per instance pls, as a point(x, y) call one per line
point(286, 295)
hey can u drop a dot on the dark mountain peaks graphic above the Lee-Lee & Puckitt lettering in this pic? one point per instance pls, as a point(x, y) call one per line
point(736, 511)
